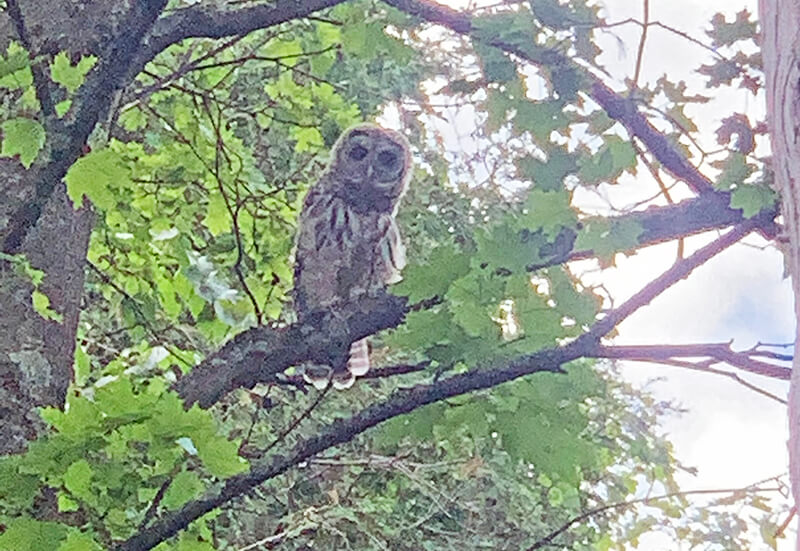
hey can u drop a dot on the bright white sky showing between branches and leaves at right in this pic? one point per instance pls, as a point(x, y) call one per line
point(732, 435)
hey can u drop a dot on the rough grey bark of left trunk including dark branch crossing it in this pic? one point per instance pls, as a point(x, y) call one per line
point(37, 221)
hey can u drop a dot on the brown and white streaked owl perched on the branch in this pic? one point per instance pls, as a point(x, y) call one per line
point(347, 241)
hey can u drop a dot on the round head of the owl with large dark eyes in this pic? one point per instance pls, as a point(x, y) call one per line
point(371, 166)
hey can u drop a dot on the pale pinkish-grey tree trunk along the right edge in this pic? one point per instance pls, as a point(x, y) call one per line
point(780, 29)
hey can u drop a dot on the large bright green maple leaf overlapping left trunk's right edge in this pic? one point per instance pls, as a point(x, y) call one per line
point(97, 175)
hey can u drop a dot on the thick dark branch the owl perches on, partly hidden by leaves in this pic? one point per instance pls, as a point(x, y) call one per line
point(258, 355)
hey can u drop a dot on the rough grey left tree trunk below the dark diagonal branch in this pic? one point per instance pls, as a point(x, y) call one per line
point(36, 353)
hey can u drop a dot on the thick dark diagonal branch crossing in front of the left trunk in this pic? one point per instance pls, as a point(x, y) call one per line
point(92, 101)
